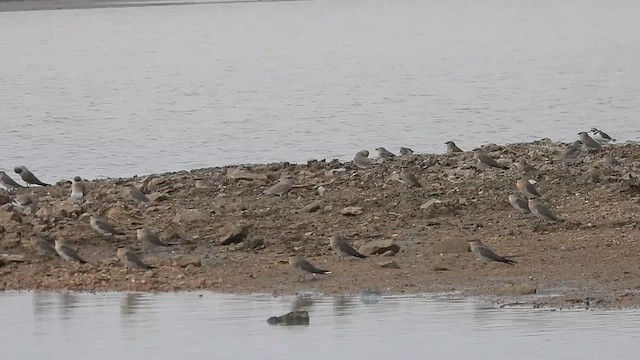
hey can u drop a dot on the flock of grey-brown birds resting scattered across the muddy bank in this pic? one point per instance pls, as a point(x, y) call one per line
point(527, 200)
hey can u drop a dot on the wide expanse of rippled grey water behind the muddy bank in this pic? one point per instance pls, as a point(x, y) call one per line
point(123, 91)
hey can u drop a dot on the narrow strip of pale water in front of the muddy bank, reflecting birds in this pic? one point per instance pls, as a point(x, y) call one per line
point(185, 325)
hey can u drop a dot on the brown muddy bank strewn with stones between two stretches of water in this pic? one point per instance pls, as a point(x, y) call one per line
point(592, 259)
